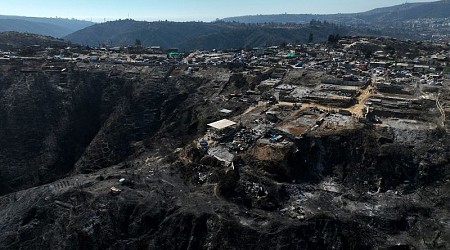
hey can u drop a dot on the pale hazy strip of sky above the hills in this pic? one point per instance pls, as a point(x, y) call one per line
point(183, 10)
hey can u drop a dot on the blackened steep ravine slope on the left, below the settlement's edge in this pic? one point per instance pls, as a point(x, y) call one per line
point(54, 119)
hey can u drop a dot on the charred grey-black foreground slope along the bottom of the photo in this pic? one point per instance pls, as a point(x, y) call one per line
point(196, 203)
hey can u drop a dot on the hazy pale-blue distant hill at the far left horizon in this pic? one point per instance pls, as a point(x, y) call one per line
point(56, 27)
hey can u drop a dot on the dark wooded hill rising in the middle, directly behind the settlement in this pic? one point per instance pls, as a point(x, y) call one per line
point(198, 35)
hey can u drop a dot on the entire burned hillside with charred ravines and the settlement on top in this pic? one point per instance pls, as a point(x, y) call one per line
point(318, 146)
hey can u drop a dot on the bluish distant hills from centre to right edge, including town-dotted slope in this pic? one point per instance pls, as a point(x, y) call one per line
point(249, 31)
